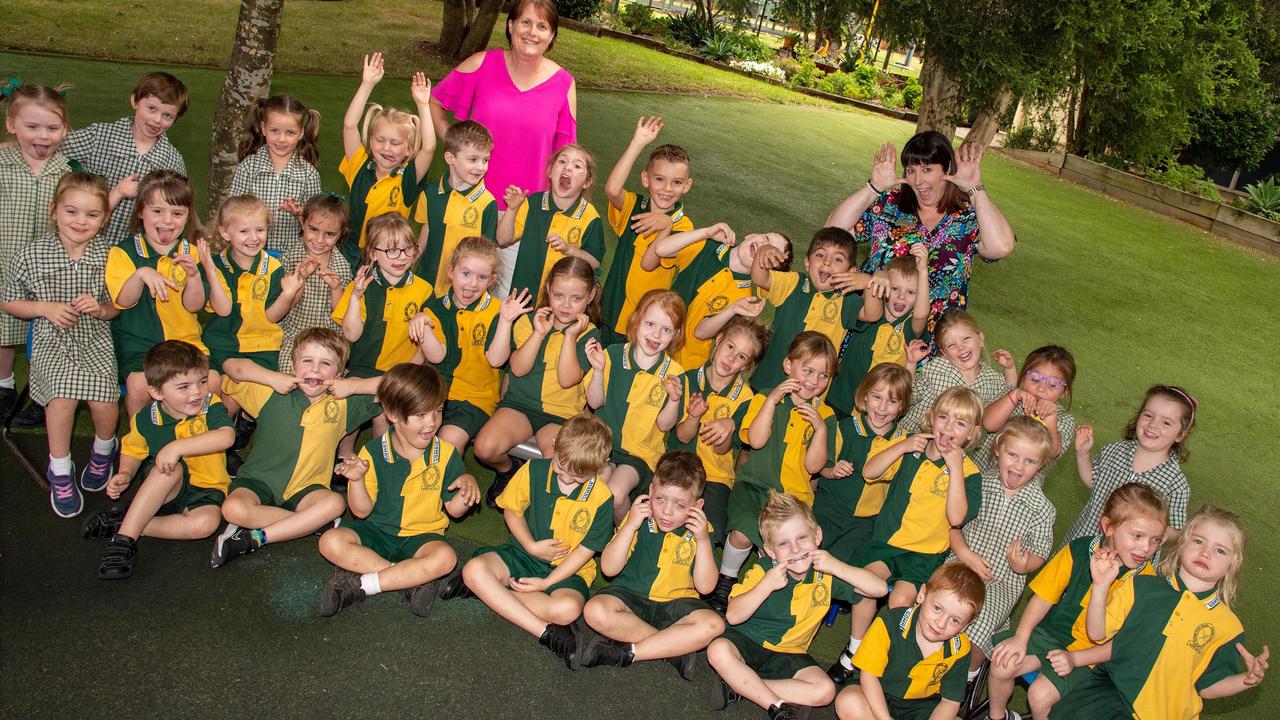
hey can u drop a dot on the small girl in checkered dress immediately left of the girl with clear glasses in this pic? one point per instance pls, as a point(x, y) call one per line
point(324, 226)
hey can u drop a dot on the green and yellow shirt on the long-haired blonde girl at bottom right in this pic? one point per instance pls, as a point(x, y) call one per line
point(1169, 645)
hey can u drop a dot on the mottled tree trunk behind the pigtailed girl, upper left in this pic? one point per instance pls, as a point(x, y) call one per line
point(249, 80)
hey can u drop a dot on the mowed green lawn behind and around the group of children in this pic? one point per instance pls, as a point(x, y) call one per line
point(1139, 299)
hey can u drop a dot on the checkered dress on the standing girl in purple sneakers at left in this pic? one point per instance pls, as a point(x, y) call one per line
point(79, 362)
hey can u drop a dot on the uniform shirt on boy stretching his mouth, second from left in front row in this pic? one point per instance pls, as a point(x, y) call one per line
point(304, 435)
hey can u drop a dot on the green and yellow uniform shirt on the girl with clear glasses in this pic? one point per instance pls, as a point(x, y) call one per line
point(387, 309)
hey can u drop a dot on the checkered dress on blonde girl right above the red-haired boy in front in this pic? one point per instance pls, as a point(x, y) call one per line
point(1028, 516)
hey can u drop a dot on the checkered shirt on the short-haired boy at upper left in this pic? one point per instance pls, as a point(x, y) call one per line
point(109, 151)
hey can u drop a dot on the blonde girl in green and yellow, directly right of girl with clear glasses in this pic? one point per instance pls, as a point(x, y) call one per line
point(468, 336)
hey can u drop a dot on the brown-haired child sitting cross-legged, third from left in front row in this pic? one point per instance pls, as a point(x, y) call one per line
point(400, 489)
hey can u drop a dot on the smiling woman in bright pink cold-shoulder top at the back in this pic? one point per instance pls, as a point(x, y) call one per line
point(527, 102)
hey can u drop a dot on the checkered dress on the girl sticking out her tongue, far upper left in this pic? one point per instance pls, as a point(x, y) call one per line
point(25, 200)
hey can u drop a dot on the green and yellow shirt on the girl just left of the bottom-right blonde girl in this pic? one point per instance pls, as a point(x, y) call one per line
point(1067, 584)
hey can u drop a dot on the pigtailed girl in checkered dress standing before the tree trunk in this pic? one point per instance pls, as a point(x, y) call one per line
point(278, 162)
